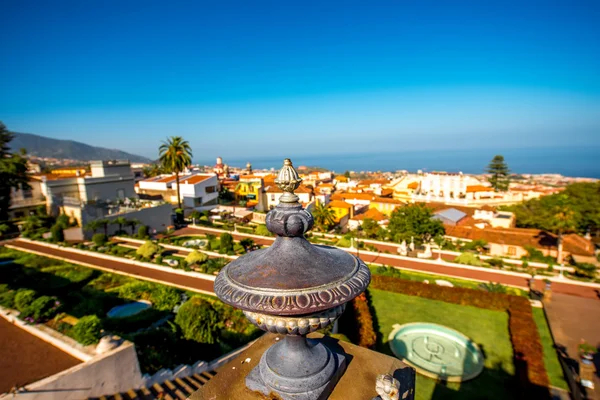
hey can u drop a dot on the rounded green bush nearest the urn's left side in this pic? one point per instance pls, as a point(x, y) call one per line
point(198, 320)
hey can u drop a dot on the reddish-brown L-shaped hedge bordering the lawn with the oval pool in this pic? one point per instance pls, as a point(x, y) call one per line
point(527, 347)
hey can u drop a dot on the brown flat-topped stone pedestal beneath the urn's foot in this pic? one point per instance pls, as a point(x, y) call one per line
point(362, 366)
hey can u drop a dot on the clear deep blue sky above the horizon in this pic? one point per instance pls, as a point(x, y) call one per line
point(302, 77)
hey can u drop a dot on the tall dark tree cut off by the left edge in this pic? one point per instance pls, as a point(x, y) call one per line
point(13, 171)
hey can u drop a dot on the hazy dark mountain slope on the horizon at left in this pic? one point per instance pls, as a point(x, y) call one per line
point(42, 146)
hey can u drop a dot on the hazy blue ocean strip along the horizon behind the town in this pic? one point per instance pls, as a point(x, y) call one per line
point(567, 161)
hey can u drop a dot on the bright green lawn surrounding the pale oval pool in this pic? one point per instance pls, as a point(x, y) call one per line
point(489, 329)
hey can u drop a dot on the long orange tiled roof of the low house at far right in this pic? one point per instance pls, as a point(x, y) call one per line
point(572, 243)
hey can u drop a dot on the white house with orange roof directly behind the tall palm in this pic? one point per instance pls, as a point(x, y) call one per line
point(197, 191)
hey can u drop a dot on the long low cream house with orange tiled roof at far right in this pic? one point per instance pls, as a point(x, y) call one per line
point(512, 242)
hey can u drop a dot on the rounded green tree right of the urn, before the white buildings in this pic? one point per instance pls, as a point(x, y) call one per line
point(414, 220)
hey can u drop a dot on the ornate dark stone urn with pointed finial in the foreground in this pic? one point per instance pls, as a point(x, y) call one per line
point(293, 288)
